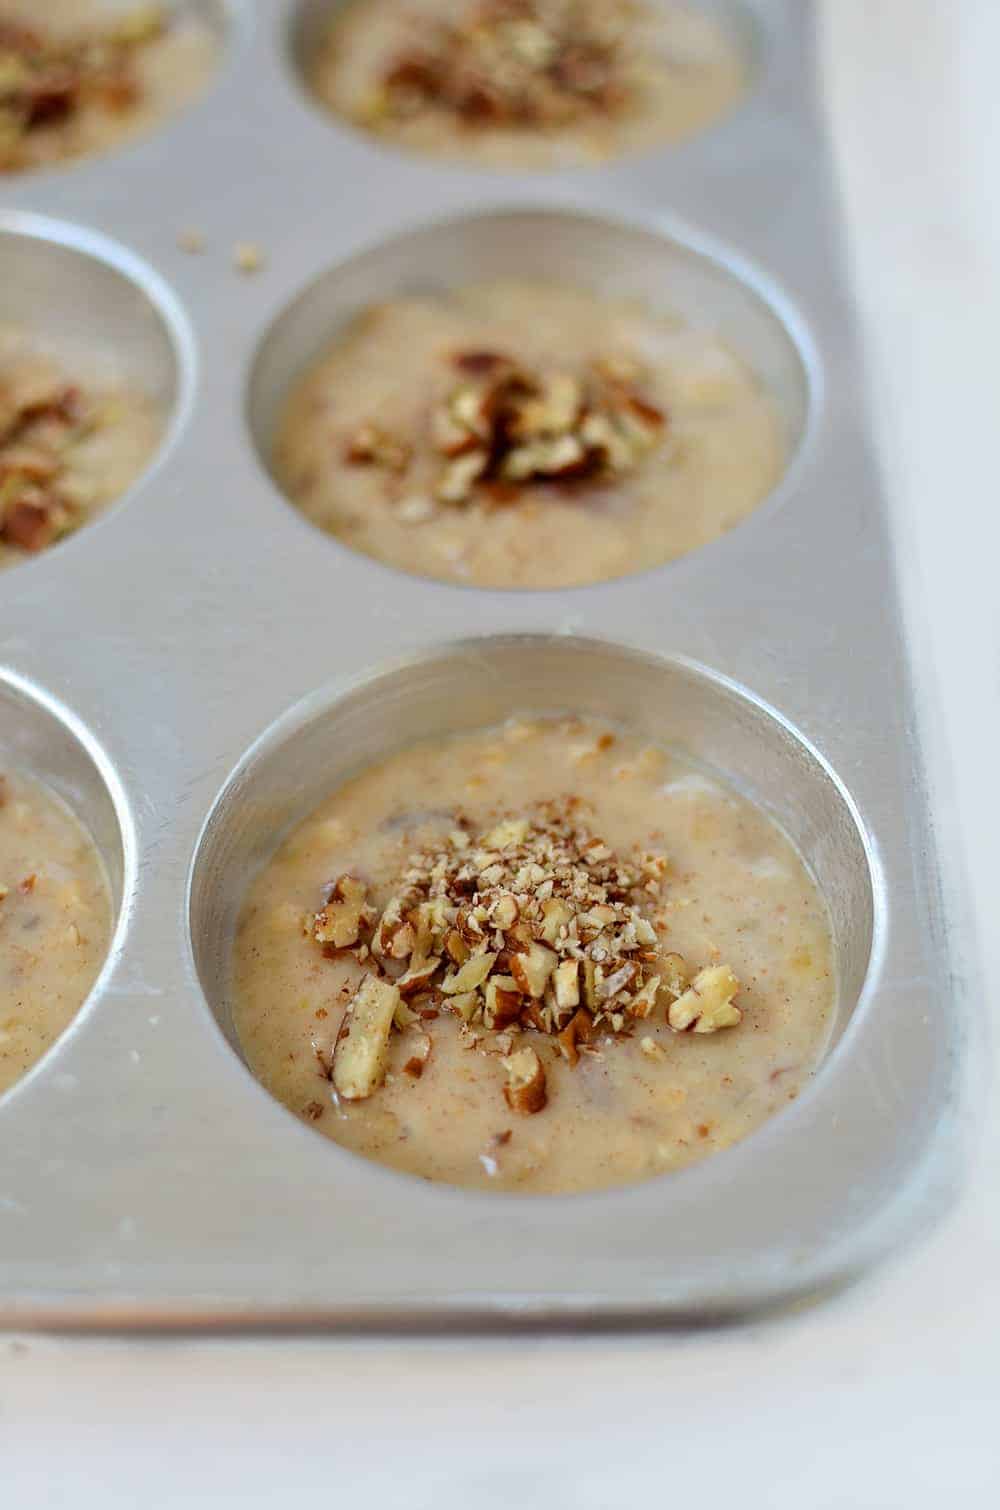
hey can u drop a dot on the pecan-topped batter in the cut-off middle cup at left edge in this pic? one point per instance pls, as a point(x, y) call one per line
point(69, 445)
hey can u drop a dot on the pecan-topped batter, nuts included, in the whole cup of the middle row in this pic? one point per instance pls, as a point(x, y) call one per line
point(526, 436)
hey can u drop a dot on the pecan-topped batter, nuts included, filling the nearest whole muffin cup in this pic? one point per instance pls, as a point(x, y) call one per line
point(649, 982)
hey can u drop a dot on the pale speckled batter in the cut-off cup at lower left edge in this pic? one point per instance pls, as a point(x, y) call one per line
point(55, 920)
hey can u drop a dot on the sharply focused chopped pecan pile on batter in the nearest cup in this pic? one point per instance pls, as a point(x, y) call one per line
point(531, 926)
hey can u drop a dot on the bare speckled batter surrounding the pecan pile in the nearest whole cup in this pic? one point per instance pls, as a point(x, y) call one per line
point(736, 892)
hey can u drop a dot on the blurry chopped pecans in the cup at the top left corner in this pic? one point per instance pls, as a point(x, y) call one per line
point(48, 79)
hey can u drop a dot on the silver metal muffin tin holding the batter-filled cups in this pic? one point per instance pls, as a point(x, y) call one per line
point(196, 670)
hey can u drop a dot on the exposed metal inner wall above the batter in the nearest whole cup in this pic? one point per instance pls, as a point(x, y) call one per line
point(480, 683)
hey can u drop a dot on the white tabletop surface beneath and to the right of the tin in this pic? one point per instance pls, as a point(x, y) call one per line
point(886, 1398)
